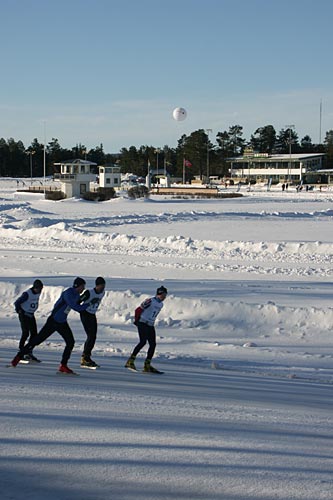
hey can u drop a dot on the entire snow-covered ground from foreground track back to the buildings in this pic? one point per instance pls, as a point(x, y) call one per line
point(244, 410)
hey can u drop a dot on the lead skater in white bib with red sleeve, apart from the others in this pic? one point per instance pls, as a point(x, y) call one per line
point(145, 317)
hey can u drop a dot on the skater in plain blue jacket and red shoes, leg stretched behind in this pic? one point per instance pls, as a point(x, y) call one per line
point(57, 322)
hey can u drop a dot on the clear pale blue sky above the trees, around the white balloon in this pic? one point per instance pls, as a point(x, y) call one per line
point(112, 71)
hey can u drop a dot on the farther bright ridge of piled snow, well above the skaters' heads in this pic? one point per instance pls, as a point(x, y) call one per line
point(45, 234)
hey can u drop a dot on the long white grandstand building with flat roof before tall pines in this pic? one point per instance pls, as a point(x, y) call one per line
point(280, 167)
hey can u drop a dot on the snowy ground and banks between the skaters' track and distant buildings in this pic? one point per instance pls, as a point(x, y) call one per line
point(135, 242)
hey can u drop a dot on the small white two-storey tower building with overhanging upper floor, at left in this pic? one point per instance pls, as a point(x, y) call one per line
point(75, 176)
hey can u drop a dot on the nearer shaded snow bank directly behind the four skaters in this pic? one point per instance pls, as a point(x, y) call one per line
point(208, 320)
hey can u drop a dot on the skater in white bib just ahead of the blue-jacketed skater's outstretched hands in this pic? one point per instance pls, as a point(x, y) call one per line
point(93, 299)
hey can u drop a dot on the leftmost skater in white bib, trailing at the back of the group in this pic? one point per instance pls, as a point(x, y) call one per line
point(26, 305)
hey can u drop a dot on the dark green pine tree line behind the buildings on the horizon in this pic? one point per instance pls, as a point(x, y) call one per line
point(204, 156)
